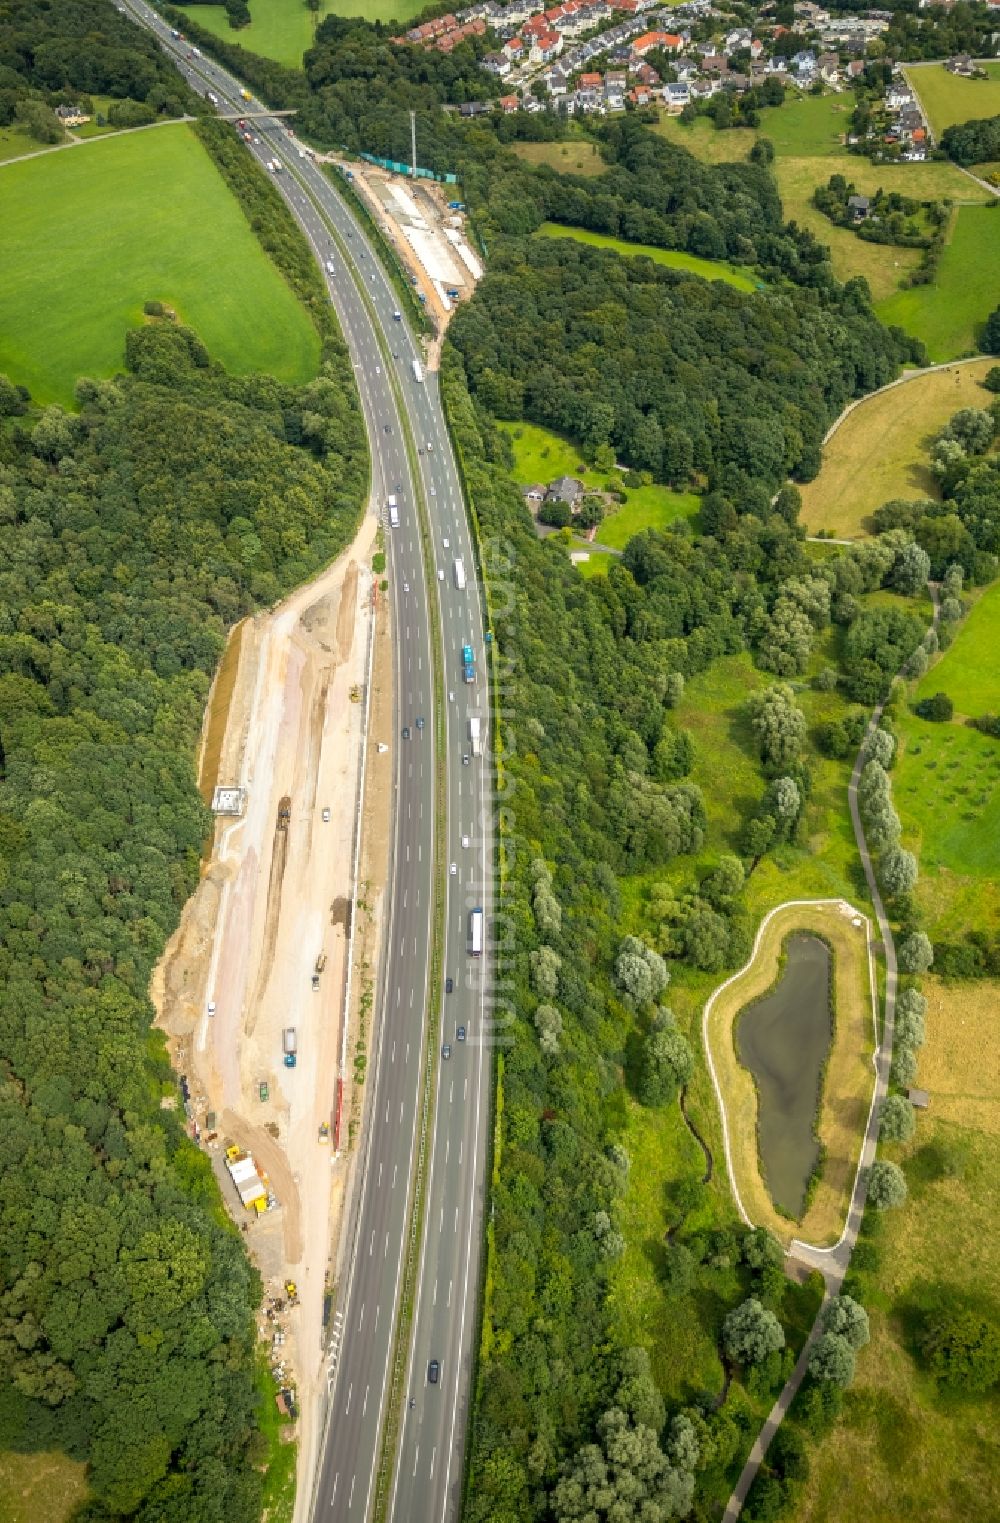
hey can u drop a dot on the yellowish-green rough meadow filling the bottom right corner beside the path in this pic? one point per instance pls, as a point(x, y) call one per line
point(903, 1449)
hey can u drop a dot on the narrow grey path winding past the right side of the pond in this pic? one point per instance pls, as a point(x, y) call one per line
point(833, 1262)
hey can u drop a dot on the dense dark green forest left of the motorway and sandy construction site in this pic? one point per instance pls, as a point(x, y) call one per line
point(133, 534)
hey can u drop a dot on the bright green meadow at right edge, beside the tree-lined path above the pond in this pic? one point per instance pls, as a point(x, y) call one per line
point(947, 782)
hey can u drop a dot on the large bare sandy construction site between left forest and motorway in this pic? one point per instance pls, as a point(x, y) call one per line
point(266, 989)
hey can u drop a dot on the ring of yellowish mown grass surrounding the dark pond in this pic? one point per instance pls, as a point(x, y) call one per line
point(847, 1088)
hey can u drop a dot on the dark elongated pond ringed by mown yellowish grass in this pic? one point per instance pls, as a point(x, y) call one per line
point(783, 1041)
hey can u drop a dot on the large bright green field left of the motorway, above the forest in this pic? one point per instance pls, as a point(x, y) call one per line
point(121, 222)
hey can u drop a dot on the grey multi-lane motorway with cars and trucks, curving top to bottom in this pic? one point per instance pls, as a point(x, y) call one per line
point(425, 1483)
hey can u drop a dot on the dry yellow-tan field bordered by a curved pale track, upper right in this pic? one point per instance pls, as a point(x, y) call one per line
point(881, 450)
